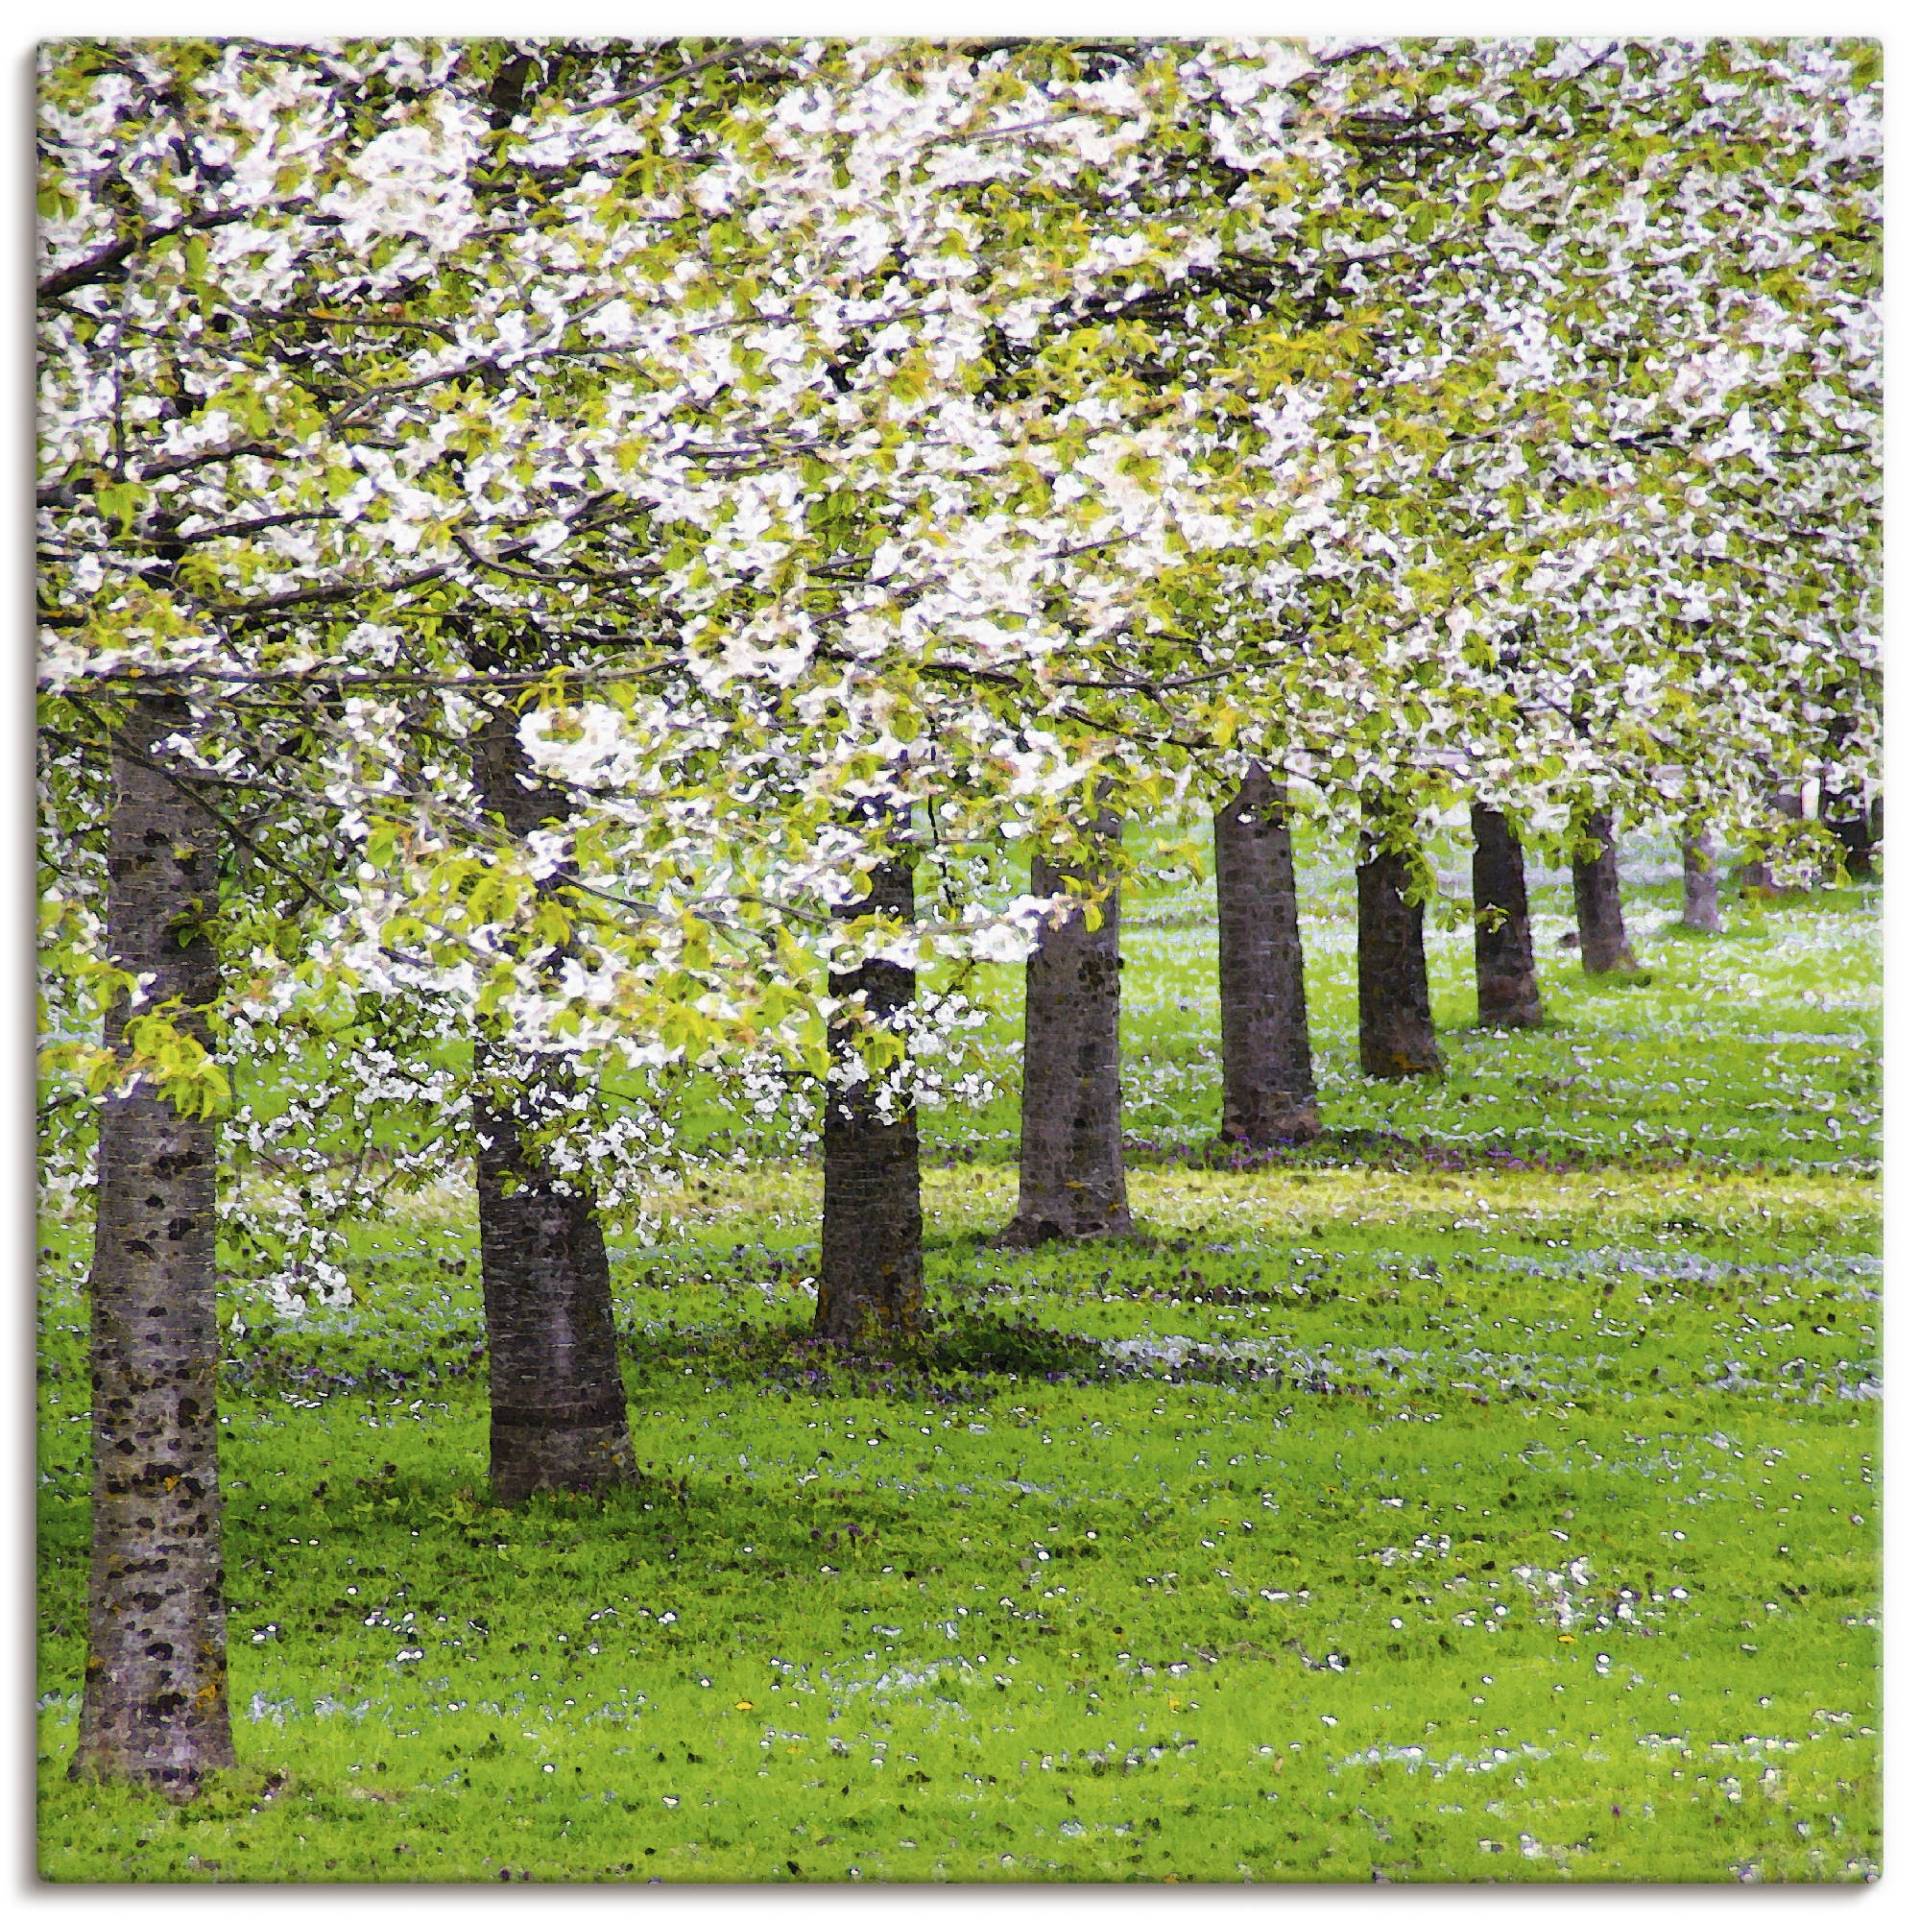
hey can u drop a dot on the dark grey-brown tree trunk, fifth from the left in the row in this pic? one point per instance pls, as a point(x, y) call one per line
point(1266, 1051)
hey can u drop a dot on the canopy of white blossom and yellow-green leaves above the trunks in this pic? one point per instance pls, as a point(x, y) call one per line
point(807, 439)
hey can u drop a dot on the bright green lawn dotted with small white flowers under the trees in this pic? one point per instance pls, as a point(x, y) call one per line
point(1289, 1541)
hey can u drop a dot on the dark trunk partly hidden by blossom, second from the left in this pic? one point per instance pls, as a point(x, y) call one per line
point(554, 1366)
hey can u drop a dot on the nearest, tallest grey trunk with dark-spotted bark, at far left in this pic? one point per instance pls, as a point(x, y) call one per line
point(155, 1706)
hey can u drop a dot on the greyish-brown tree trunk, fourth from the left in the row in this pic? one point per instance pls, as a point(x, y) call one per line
point(1072, 1178)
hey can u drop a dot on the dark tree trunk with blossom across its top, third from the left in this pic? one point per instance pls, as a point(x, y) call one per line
point(871, 1270)
